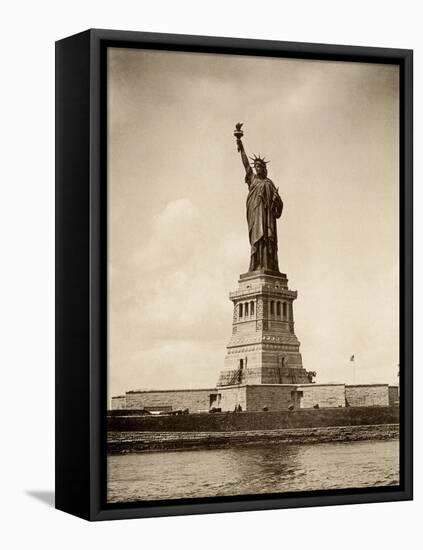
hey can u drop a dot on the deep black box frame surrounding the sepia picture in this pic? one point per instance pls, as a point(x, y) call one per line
point(81, 272)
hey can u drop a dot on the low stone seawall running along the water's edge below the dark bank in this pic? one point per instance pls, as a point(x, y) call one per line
point(126, 442)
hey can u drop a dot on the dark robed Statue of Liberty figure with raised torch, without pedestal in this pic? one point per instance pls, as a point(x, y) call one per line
point(264, 207)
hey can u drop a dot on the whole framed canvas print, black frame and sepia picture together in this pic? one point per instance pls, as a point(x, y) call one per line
point(233, 274)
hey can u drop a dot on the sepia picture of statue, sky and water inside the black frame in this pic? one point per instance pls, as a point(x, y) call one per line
point(253, 271)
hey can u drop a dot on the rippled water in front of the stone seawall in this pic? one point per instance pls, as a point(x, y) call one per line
point(252, 470)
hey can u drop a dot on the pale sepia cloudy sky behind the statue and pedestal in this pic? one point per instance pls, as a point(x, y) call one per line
point(178, 236)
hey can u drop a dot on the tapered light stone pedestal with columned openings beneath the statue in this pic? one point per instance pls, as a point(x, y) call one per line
point(263, 348)
